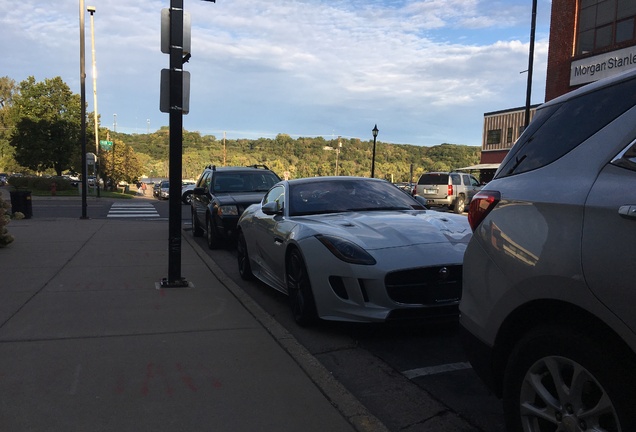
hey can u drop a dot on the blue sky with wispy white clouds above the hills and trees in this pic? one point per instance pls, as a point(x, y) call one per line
point(424, 70)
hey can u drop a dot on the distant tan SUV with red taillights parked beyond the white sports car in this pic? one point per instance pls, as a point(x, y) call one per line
point(450, 189)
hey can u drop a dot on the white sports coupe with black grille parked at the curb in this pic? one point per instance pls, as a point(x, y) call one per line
point(354, 249)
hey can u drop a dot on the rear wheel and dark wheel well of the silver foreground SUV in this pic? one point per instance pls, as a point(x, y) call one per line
point(594, 387)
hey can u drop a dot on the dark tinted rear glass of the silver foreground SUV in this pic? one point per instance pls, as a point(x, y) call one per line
point(557, 129)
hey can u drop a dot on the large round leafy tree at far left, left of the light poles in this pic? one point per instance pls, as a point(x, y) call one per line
point(47, 125)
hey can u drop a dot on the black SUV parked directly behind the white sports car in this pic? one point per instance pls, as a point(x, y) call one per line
point(222, 194)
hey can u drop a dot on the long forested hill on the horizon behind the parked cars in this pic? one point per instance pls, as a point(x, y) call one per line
point(300, 157)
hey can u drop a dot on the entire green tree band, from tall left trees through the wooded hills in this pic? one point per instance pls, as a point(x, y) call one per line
point(40, 133)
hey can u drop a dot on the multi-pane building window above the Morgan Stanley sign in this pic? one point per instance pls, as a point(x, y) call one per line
point(603, 23)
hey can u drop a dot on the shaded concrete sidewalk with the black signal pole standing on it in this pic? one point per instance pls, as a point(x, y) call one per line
point(90, 342)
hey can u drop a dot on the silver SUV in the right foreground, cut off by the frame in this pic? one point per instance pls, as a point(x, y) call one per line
point(548, 298)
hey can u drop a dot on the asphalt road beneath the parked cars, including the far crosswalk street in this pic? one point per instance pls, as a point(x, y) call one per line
point(412, 377)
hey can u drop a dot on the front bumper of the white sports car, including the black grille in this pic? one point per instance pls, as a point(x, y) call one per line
point(359, 293)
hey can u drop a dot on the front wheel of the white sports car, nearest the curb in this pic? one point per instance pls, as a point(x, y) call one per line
point(301, 297)
